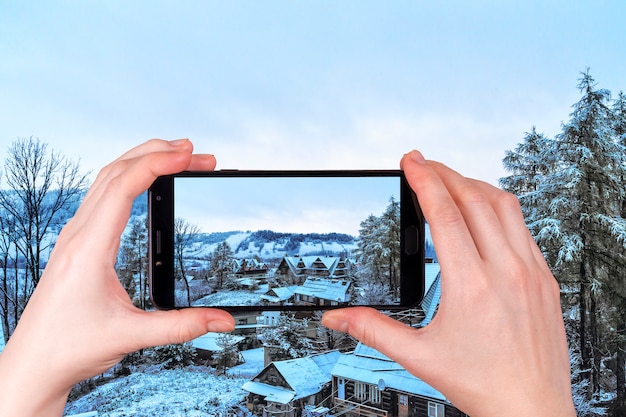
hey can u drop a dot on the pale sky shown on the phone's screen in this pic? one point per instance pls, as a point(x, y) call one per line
point(286, 205)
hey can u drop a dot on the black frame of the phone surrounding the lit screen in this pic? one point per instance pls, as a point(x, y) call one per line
point(161, 237)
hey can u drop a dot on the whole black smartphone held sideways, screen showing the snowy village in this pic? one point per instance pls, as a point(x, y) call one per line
point(285, 240)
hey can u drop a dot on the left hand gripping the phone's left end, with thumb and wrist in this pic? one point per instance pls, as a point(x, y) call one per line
point(80, 321)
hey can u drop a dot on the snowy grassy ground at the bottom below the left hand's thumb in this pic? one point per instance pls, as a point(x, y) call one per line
point(191, 392)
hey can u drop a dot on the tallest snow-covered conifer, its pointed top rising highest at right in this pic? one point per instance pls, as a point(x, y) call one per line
point(581, 218)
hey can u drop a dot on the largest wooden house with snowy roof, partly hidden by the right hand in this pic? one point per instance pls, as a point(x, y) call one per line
point(367, 383)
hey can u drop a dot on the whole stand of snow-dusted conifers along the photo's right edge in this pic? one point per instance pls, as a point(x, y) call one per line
point(573, 195)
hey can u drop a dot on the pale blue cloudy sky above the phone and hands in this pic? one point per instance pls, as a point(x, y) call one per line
point(302, 85)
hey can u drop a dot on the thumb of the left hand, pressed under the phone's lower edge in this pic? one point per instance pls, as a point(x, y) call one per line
point(158, 328)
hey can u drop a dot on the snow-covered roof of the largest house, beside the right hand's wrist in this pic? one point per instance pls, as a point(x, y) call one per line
point(367, 365)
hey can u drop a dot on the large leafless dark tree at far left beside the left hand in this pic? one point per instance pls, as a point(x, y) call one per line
point(42, 188)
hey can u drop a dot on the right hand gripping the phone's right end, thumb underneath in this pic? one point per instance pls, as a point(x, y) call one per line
point(497, 345)
